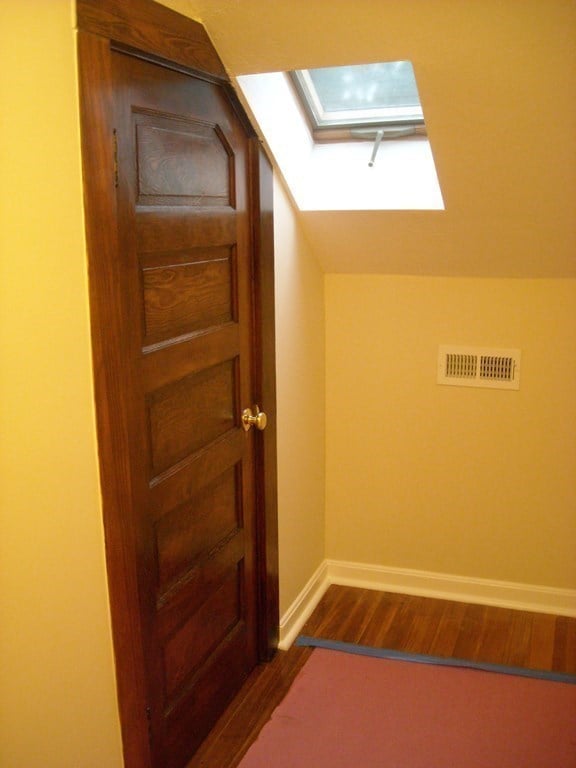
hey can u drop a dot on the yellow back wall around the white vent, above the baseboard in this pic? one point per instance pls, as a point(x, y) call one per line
point(464, 481)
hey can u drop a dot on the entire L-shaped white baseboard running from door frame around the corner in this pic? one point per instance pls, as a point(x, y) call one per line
point(503, 594)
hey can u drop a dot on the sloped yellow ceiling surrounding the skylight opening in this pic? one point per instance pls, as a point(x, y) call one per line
point(497, 80)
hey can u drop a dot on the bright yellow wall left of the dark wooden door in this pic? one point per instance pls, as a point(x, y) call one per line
point(57, 692)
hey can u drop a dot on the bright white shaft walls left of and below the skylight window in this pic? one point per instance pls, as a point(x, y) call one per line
point(336, 176)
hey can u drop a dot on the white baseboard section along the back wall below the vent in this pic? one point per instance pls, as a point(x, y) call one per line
point(503, 594)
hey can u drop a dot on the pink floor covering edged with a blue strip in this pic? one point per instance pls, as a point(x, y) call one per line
point(350, 711)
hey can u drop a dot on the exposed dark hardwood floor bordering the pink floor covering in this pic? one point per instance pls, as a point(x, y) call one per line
point(385, 620)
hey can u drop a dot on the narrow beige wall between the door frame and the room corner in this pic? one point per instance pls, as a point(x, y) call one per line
point(301, 402)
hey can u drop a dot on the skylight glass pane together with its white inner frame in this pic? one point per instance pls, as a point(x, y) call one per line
point(361, 95)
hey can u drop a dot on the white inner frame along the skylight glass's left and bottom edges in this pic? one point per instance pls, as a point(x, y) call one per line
point(323, 120)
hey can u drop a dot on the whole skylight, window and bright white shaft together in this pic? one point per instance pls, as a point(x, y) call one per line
point(333, 167)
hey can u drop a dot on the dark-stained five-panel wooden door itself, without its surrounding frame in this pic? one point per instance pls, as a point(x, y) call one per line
point(185, 245)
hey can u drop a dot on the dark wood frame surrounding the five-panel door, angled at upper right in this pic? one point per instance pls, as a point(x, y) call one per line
point(149, 30)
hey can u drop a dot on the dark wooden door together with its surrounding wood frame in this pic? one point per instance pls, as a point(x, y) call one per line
point(176, 233)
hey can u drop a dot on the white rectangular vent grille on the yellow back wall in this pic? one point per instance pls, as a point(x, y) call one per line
point(479, 367)
